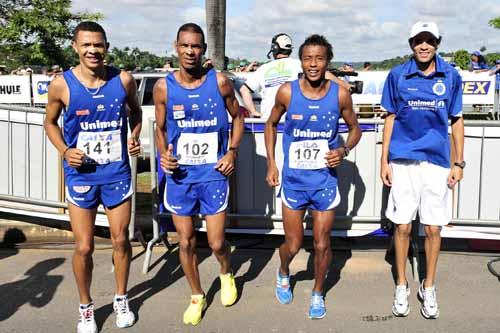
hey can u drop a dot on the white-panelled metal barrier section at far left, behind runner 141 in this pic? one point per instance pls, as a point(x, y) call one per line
point(31, 177)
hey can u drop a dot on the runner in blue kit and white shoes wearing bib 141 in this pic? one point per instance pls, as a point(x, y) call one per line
point(94, 145)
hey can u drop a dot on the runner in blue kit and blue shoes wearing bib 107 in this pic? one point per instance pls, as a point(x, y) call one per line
point(313, 106)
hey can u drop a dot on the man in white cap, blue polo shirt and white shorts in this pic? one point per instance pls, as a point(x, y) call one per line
point(420, 96)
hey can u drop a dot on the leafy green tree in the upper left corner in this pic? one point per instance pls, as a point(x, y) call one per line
point(35, 32)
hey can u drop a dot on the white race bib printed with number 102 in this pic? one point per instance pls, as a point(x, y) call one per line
point(197, 148)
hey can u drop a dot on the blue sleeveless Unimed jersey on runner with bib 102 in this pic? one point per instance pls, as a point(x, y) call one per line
point(198, 128)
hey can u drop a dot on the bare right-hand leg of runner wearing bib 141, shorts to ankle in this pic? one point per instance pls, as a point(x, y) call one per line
point(119, 219)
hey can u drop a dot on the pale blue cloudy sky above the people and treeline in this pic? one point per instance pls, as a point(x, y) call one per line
point(358, 29)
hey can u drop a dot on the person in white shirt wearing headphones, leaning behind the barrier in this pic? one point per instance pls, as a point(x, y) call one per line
point(270, 76)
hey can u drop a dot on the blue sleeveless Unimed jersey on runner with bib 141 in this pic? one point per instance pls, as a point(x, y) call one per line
point(95, 121)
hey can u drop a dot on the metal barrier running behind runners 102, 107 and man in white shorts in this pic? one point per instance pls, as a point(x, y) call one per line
point(254, 207)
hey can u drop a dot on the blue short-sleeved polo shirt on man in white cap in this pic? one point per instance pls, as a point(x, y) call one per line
point(422, 105)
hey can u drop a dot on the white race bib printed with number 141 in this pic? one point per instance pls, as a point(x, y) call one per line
point(100, 147)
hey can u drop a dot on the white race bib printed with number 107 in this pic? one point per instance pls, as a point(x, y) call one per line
point(308, 154)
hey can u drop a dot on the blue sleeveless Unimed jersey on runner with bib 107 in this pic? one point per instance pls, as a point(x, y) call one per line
point(310, 131)
